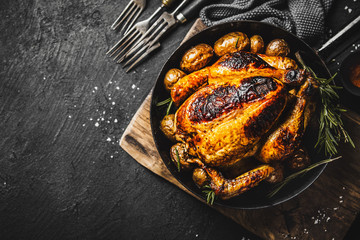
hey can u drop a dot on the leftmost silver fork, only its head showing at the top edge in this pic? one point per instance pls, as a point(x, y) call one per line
point(131, 12)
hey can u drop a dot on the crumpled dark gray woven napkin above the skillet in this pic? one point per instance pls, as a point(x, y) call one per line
point(305, 18)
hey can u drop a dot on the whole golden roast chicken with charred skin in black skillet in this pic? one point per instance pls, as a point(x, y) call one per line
point(246, 107)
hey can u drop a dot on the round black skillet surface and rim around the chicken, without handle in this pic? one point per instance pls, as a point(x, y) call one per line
point(256, 197)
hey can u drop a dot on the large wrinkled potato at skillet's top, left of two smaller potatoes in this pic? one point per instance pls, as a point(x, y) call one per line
point(231, 42)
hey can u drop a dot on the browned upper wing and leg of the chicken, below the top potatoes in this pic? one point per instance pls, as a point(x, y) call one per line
point(229, 67)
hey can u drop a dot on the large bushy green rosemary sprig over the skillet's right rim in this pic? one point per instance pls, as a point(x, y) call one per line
point(331, 127)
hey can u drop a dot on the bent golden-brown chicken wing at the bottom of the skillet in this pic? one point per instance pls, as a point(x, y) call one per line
point(228, 188)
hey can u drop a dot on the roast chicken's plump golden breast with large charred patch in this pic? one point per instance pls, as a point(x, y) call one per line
point(226, 121)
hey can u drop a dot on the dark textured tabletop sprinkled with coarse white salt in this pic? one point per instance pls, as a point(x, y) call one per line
point(63, 108)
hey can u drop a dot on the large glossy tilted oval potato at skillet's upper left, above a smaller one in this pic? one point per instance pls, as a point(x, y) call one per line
point(196, 57)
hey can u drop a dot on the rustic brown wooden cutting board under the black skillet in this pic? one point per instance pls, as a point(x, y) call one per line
point(325, 210)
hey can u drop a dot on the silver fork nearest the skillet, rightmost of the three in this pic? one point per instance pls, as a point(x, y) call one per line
point(162, 24)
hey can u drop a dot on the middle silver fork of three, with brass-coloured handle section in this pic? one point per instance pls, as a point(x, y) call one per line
point(136, 32)
